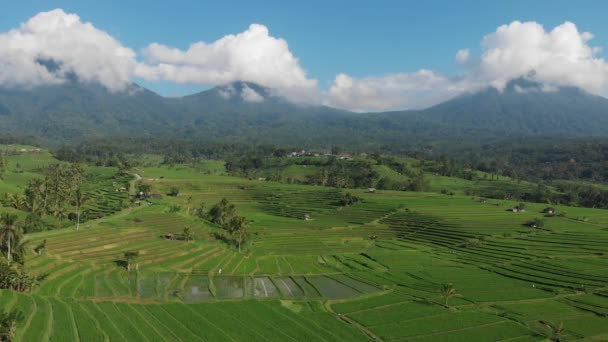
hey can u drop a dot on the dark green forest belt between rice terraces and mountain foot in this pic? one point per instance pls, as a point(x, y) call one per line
point(538, 160)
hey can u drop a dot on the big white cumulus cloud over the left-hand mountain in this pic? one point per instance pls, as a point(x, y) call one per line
point(53, 47)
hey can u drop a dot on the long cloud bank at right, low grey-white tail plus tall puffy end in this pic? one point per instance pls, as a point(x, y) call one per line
point(560, 57)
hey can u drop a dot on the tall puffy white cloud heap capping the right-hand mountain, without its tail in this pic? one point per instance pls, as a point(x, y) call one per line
point(560, 57)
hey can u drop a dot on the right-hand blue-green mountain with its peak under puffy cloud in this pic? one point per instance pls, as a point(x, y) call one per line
point(524, 108)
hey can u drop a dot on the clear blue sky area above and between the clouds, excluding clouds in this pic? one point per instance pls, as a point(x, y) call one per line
point(358, 38)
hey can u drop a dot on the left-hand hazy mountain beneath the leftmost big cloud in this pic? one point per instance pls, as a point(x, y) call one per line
point(73, 111)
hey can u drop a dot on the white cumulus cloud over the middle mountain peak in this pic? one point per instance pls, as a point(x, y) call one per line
point(253, 56)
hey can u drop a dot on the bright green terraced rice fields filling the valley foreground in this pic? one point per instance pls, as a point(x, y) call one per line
point(150, 262)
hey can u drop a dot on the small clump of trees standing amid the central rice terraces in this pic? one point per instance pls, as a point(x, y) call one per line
point(225, 215)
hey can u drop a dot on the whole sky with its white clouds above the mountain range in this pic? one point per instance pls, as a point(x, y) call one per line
point(356, 55)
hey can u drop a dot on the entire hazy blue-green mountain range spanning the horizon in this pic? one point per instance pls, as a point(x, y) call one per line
point(249, 113)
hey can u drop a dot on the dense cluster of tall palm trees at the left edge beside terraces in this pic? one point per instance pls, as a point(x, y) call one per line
point(58, 194)
